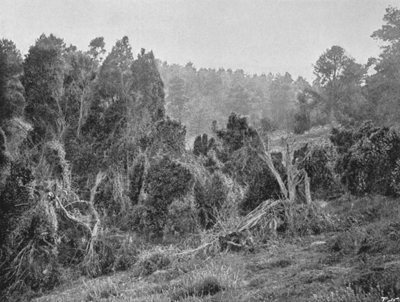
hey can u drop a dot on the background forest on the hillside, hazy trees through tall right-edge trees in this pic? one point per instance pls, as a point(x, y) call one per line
point(344, 91)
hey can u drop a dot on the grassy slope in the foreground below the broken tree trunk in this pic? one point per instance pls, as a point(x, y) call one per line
point(362, 254)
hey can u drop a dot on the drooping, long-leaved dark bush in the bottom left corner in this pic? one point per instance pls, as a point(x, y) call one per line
point(31, 258)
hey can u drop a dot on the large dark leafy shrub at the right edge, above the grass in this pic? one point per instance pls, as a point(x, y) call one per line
point(370, 164)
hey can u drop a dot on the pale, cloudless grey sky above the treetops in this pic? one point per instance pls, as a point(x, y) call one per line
point(258, 36)
